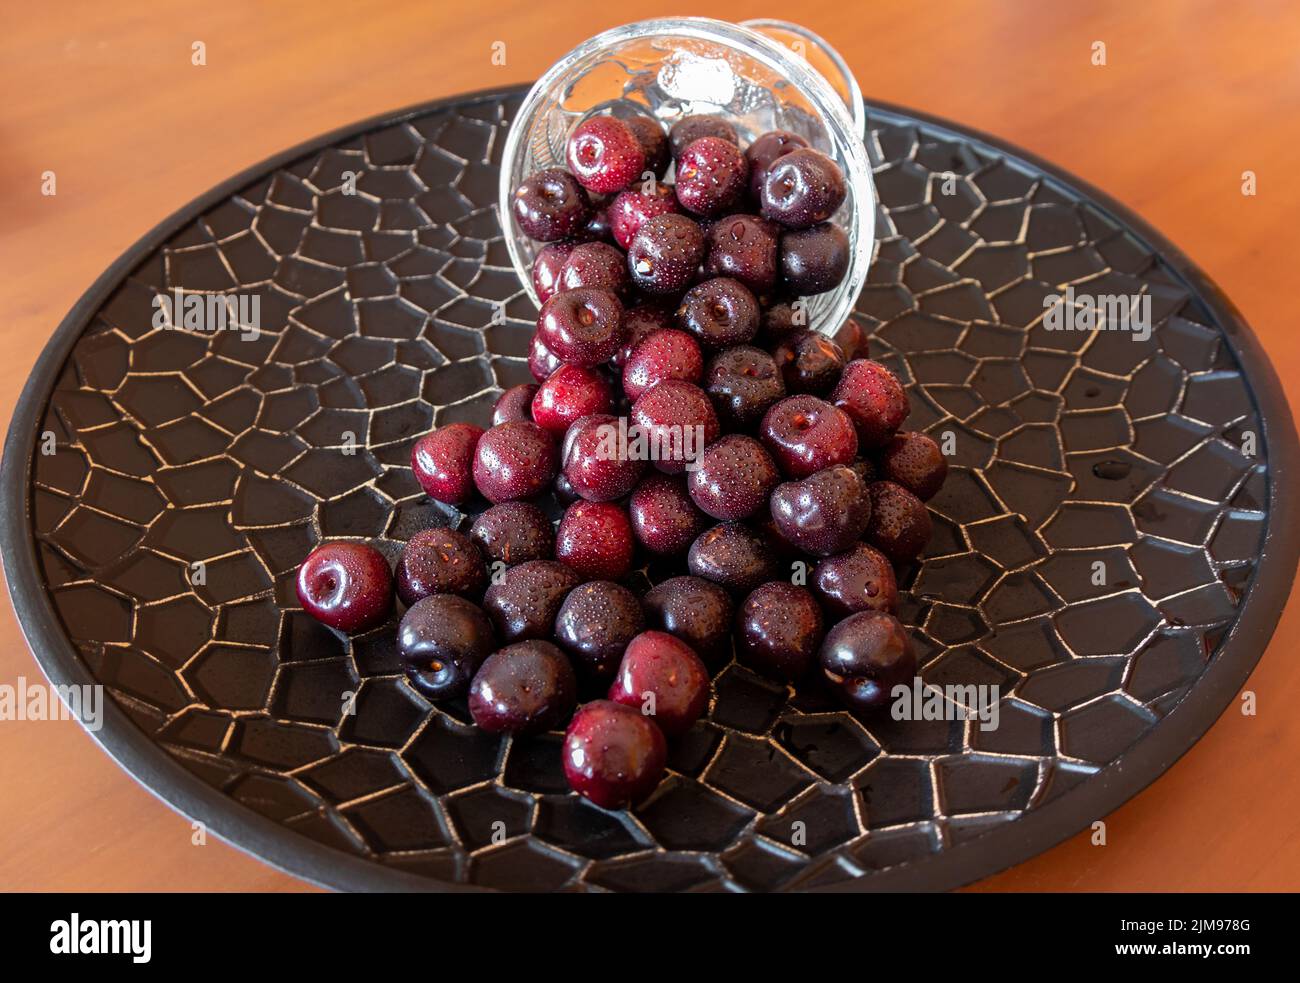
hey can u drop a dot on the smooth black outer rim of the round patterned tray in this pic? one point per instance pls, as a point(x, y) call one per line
point(983, 856)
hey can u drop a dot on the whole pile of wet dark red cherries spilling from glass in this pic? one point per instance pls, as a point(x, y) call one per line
point(791, 509)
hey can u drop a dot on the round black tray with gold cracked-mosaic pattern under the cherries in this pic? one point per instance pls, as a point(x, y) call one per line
point(378, 315)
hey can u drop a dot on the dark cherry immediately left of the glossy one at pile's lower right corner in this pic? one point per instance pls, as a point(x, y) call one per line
point(778, 631)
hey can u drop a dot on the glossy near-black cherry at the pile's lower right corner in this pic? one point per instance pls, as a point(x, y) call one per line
point(865, 657)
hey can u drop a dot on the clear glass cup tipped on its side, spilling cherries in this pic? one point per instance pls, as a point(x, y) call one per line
point(694, 66)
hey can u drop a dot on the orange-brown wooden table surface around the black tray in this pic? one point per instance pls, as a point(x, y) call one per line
point(106, 96)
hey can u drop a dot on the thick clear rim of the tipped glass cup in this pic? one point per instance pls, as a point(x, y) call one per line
point(844, 133)
